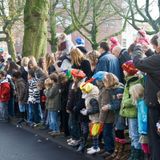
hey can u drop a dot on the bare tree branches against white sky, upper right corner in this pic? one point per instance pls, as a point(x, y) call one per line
point(140, 13)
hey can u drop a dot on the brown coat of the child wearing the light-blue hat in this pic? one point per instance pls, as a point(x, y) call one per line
point(104, 99)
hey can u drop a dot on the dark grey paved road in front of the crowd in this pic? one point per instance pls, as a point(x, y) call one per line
point(18, 144)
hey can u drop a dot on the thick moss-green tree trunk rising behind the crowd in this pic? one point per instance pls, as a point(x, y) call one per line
point(35, 22)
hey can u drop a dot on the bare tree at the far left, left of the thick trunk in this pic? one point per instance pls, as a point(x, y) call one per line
point(11, 11)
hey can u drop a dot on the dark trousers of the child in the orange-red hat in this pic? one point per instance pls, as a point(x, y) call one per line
point(74, 126)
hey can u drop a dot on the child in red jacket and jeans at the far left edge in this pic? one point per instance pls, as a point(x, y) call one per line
point(4, 96)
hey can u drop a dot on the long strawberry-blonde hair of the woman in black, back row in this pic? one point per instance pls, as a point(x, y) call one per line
point(77, 56)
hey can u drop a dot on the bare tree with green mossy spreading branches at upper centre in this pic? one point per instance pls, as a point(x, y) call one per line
point(87, 17)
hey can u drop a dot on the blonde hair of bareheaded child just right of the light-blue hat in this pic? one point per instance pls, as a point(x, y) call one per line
point(110, 81)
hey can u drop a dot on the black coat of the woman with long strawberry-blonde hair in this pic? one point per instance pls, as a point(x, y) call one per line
point(85, 67)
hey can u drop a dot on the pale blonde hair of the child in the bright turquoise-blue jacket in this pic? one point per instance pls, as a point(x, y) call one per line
point(136, 91)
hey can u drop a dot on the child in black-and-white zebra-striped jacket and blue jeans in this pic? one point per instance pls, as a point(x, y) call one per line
point(34, 115)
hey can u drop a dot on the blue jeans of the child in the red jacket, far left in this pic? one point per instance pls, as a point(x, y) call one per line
point(3, 110)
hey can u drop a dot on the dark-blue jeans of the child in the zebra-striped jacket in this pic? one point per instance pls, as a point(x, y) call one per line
point(34, 113)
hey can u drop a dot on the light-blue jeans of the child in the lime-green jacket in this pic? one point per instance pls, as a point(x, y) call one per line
point(133, 133)
